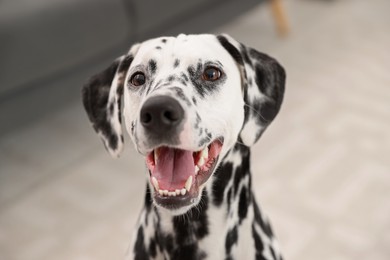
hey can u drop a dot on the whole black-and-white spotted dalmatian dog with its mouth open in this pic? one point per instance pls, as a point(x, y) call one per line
point(193, 106)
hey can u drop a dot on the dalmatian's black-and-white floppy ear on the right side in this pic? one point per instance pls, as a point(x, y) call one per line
point(263, 80)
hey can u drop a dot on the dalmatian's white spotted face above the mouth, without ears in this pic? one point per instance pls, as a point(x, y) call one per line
point(179, 94)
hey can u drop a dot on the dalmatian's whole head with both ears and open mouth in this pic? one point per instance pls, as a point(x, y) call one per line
point(187, 101)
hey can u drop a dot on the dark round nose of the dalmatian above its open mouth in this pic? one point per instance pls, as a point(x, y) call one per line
point(161, 113)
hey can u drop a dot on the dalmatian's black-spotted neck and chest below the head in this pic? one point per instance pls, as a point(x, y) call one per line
point(225, 224)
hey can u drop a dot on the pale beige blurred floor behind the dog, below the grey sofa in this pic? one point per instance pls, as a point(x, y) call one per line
point(322, 168)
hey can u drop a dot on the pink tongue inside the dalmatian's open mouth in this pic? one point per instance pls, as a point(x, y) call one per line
point(173, 168)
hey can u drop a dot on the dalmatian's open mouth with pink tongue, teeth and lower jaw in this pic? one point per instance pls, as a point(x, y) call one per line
point(176, 175)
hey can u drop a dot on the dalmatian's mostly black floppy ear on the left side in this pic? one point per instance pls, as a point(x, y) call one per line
point(102, 100)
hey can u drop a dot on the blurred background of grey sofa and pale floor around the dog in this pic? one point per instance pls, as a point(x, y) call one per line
point(321, 170)
